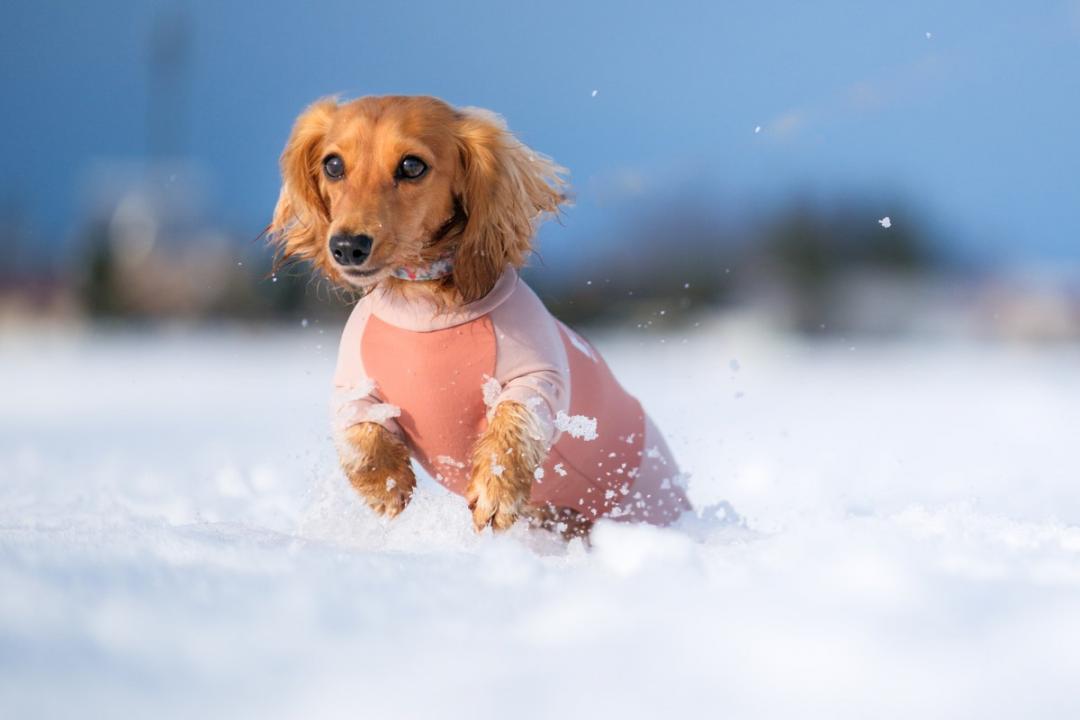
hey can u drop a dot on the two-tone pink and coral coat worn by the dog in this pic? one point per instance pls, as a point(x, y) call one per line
point(433, 377)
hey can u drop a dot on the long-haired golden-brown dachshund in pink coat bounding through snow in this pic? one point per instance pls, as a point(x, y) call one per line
point(429, 211)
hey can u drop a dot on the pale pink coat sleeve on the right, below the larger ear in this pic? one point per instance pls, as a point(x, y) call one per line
point(532, 368)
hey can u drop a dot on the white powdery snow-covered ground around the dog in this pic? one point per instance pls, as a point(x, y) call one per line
point(177, 541)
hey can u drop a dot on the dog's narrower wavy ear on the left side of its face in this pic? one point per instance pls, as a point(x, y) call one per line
point(302, 218)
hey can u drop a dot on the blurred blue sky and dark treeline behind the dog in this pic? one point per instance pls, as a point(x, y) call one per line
point(827, 169)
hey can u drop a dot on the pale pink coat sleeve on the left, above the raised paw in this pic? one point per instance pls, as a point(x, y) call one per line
point(356, 398)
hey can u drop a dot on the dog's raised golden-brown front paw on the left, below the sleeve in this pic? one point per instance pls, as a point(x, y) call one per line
point(377, 464)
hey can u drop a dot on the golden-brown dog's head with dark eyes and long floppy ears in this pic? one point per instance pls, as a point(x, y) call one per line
point(386, 183)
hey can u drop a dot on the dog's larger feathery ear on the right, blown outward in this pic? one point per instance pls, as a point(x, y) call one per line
point(506, 188)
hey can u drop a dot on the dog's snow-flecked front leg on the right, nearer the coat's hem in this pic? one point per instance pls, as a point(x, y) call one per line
point(504, 463)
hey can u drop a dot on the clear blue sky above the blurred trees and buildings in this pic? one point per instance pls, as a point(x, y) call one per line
point(975, 126)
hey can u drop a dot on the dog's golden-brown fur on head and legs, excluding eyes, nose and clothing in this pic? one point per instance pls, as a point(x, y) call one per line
point(480, 200)
